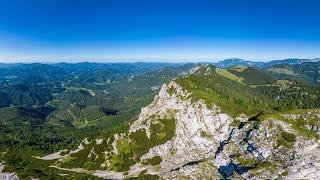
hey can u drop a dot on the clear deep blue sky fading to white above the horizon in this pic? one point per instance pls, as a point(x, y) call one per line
point(158, 30)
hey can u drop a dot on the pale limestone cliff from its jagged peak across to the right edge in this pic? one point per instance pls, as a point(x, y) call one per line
point(208, 143)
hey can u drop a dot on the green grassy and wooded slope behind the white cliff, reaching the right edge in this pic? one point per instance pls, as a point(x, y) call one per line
point(236, 98)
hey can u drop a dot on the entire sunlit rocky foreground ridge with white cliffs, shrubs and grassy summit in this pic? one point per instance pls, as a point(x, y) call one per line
point(185, 134)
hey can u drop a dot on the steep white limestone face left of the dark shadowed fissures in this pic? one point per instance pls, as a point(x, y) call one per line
point(199, 130)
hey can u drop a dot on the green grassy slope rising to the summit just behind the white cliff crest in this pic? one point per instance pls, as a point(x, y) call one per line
point(233, 98)
